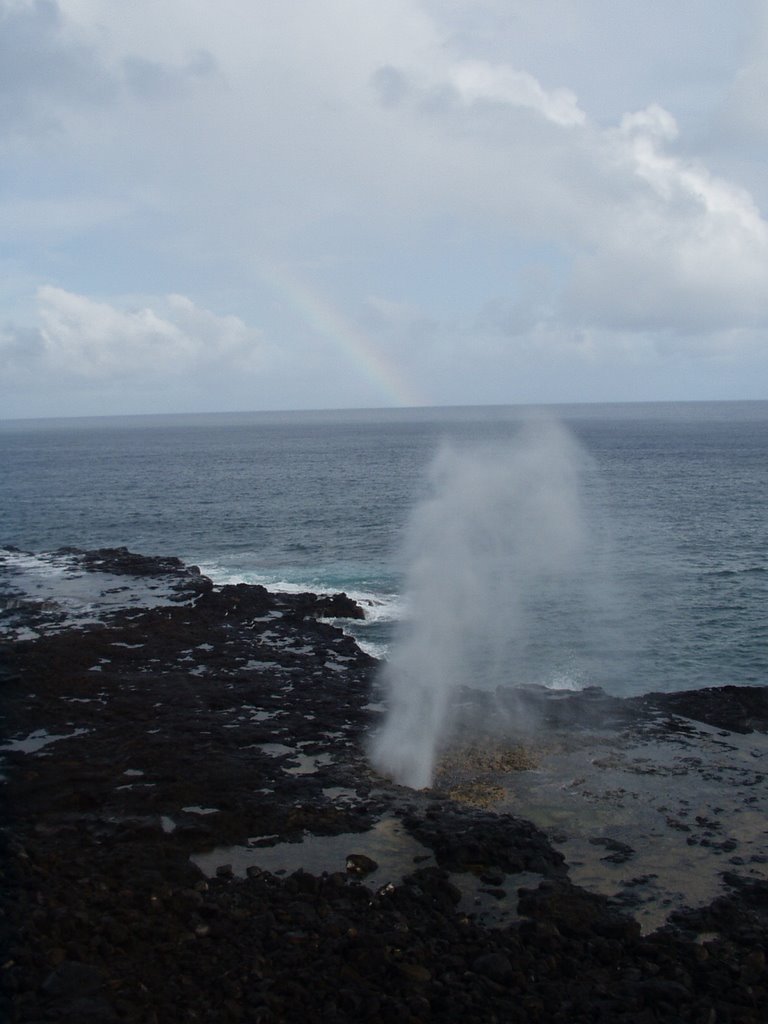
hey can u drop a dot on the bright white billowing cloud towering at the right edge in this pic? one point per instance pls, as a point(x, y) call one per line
point(681, 249)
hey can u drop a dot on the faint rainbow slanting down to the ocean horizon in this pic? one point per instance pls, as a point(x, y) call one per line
point(327, 320)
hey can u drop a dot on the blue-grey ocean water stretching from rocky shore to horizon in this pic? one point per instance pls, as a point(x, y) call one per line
point(674, 497)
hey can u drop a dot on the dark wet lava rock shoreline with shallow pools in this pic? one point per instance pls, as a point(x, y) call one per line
point(165, 720)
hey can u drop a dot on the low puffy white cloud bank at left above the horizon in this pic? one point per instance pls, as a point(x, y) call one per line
point(80, 338)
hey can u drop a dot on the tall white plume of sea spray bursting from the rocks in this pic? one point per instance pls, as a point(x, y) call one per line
point(500, 539)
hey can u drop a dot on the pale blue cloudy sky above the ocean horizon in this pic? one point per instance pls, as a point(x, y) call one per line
point(328, 204)
